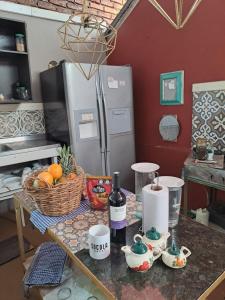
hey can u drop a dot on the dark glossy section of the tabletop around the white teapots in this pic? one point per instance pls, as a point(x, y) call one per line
point(205, 266)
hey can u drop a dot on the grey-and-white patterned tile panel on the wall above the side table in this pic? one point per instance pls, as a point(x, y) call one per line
point(208, 115)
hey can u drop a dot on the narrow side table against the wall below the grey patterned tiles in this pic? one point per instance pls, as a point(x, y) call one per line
point(202, 174)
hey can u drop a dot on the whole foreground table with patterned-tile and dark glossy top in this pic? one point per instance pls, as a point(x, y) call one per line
point(204, 270)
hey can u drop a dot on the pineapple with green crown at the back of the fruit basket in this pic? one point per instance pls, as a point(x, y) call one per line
point(67, 160)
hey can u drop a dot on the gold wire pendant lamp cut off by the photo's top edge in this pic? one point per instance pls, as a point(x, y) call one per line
point(180, 19)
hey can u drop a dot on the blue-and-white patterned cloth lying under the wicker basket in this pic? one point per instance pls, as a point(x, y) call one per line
point(42, 222)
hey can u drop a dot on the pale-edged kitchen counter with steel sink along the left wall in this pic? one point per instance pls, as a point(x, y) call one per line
point(27, 150)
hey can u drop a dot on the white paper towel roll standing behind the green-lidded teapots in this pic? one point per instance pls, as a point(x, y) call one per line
point(155, 210)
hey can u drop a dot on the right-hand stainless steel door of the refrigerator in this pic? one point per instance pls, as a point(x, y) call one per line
point(120, 147)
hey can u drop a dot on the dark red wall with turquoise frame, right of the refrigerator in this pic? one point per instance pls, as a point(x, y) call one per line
point(152, 46)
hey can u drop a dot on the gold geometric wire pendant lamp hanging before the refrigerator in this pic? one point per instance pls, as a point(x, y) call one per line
point(87, 38)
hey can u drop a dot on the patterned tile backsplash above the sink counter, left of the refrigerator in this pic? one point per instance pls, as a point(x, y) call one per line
point(21, 123)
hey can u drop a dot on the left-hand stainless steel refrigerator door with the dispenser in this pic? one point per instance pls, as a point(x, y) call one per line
point(81, 97)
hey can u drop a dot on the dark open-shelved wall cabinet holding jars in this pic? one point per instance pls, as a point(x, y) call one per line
point(14, 65)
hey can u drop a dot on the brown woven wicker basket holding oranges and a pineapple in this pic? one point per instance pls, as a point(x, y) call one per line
point(57, 200)
